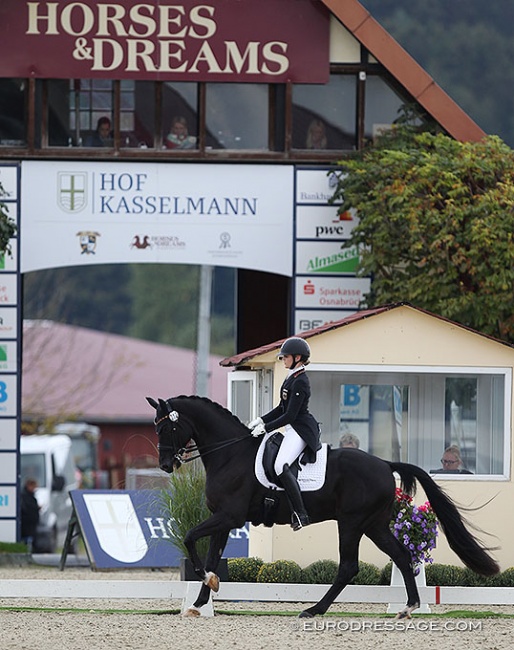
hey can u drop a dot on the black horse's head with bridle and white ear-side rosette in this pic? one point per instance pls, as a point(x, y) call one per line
point(174, 431)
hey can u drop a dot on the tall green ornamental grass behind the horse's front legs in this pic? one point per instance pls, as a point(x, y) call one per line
point(185, 506)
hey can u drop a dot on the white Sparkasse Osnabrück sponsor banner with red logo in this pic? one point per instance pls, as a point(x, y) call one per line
point(332, 293)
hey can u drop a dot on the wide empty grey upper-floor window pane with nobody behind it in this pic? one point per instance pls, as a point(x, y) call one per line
point(237, 116)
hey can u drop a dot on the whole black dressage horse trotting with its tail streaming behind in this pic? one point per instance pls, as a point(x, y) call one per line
point(358, 493)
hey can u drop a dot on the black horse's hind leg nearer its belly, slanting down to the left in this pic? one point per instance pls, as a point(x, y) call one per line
point(350, 534)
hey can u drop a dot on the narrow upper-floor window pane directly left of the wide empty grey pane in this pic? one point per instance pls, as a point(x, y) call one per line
point(180, 115)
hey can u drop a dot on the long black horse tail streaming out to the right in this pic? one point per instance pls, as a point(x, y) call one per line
point(461, 541)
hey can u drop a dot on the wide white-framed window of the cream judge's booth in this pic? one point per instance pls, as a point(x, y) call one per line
point(415, 417)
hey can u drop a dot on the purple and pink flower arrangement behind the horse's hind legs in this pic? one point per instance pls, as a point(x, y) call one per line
point(416, 527)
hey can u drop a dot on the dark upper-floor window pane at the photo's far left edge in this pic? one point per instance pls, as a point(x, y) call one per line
point(12, 112)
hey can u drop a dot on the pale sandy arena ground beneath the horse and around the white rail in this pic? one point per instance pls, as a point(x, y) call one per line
point(91, 624)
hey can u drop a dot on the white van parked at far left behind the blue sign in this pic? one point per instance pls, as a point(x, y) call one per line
point(48, 460)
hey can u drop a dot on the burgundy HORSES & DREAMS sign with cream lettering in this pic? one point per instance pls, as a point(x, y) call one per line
point(222, 40)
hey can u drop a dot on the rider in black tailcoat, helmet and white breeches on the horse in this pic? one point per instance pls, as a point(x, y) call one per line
point(301, 430)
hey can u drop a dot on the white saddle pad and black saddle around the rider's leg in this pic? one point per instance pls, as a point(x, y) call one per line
point(310, 477)
